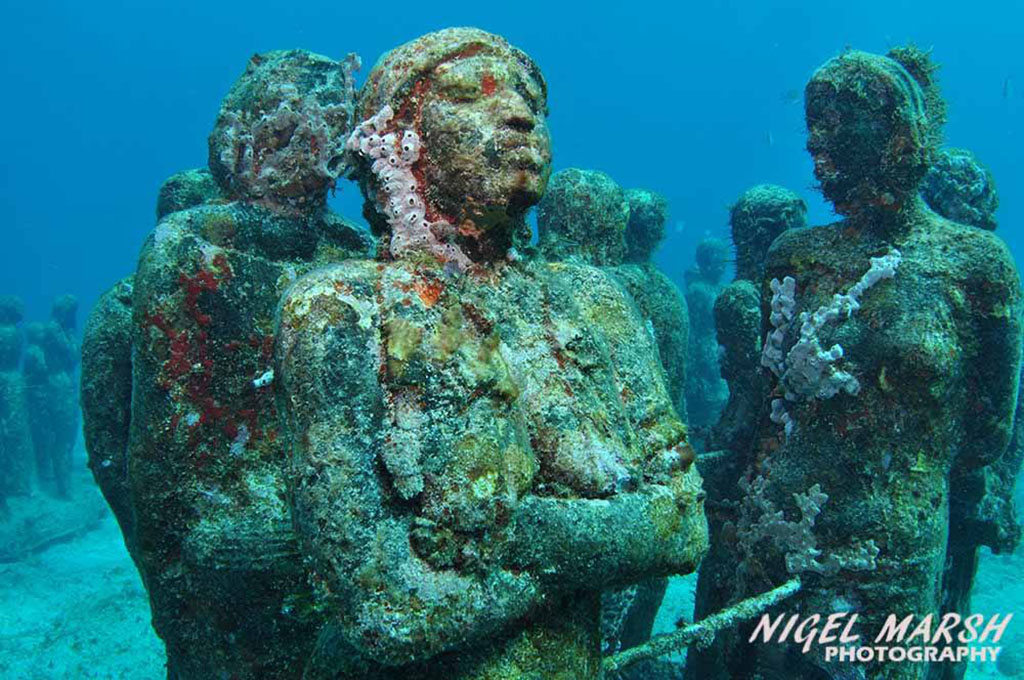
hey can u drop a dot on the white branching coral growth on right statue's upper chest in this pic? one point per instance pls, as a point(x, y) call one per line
point(807, 370)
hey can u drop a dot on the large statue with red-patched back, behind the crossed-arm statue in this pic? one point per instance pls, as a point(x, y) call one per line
point(181, 421)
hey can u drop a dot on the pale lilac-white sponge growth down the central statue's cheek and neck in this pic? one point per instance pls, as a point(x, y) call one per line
point(394, 154)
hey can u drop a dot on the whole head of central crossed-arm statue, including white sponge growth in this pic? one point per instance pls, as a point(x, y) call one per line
point(473, 109)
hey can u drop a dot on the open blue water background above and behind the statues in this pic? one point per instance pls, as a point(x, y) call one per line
point(104, 101)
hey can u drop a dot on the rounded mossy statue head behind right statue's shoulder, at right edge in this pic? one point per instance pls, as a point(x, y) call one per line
point(960, 188)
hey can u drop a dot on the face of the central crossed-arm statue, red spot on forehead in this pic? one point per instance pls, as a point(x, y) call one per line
point(488, 146)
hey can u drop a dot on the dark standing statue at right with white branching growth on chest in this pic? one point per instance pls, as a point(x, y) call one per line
point(867, 440)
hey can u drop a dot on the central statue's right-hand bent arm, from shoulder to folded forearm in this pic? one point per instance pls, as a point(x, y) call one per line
point(655, 529)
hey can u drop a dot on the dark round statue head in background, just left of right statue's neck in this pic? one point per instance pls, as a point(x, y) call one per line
point(756, 220)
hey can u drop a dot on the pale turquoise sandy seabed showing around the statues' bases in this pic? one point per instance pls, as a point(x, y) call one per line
point(78, 610)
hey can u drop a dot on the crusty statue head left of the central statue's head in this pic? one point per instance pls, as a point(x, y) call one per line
point(280, 136)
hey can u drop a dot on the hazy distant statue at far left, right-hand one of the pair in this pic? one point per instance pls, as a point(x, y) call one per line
point(51, 359)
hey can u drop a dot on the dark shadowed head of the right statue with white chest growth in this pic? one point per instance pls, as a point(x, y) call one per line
point(870, 134)
